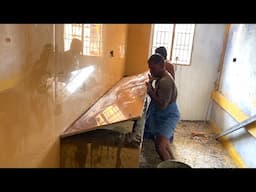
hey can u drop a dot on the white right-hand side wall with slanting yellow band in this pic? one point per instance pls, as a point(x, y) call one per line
point(233, 101)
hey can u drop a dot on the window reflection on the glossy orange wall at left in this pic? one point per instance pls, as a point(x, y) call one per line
point(89, 34)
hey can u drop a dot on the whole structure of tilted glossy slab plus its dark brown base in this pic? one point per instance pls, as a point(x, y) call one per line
point(109, 134)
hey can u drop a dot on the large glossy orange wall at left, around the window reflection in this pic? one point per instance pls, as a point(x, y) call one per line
point(35, 106)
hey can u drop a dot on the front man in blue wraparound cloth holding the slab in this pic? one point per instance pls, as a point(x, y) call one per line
point(163, 114)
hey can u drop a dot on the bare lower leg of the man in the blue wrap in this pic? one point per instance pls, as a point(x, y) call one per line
point(162, 147)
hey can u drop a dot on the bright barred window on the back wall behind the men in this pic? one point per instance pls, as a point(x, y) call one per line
point(177, 39)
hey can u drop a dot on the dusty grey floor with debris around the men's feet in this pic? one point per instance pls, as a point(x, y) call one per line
point(194, 144)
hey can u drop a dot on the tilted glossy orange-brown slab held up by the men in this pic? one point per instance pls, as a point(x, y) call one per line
point(125, 101)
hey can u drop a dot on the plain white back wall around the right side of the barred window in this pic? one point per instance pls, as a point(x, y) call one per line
point(196, 82)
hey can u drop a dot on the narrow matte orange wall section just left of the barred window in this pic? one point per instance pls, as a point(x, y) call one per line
point(138, 44)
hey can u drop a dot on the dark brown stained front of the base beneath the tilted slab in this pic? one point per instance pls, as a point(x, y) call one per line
point(99, 149)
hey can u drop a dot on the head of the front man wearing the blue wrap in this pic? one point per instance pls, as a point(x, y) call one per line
point(156, 65)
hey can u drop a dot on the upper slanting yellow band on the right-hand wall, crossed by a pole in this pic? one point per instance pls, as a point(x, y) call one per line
point(233, 110)
